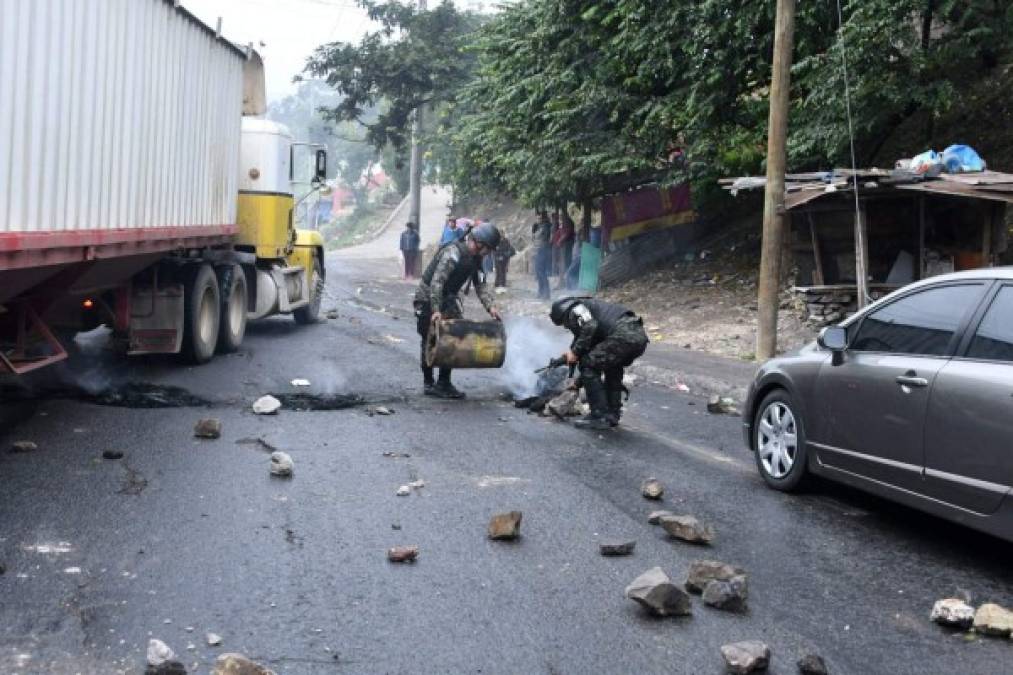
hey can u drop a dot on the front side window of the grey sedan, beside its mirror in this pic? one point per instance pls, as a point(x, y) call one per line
point(923, 323)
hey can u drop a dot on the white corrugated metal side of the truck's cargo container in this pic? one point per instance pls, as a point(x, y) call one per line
point(116, 114)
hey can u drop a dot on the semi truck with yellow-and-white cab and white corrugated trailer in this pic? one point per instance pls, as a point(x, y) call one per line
point(141, 186)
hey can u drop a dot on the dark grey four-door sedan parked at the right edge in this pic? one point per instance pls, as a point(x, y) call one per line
point(912, 400)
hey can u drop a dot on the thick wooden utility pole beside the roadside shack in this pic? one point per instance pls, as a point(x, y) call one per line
point(774, 215)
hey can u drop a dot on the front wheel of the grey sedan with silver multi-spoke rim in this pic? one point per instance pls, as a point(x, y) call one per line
point(780, 442)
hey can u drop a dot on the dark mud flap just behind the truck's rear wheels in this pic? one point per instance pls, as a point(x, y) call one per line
point(157, 321)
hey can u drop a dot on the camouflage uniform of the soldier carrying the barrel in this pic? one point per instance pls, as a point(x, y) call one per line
point(450, 270)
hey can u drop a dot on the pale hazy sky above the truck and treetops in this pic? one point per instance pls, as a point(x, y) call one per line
point(290, 30)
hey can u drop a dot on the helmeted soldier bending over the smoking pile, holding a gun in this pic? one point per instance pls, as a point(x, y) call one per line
point(607, 338)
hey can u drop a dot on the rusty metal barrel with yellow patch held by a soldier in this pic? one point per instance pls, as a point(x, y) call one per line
point(463, 344)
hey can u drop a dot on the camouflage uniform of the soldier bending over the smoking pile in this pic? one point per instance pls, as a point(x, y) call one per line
point(607, 339)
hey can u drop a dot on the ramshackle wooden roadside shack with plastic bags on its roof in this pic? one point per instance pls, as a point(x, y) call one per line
point(909, 228)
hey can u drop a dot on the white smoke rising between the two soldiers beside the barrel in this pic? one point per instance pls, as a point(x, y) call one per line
point(530, 345)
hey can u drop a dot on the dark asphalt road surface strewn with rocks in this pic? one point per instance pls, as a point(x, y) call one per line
point(184, 537)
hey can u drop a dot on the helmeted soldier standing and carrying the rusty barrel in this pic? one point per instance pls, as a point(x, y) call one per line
point(454, 265)
